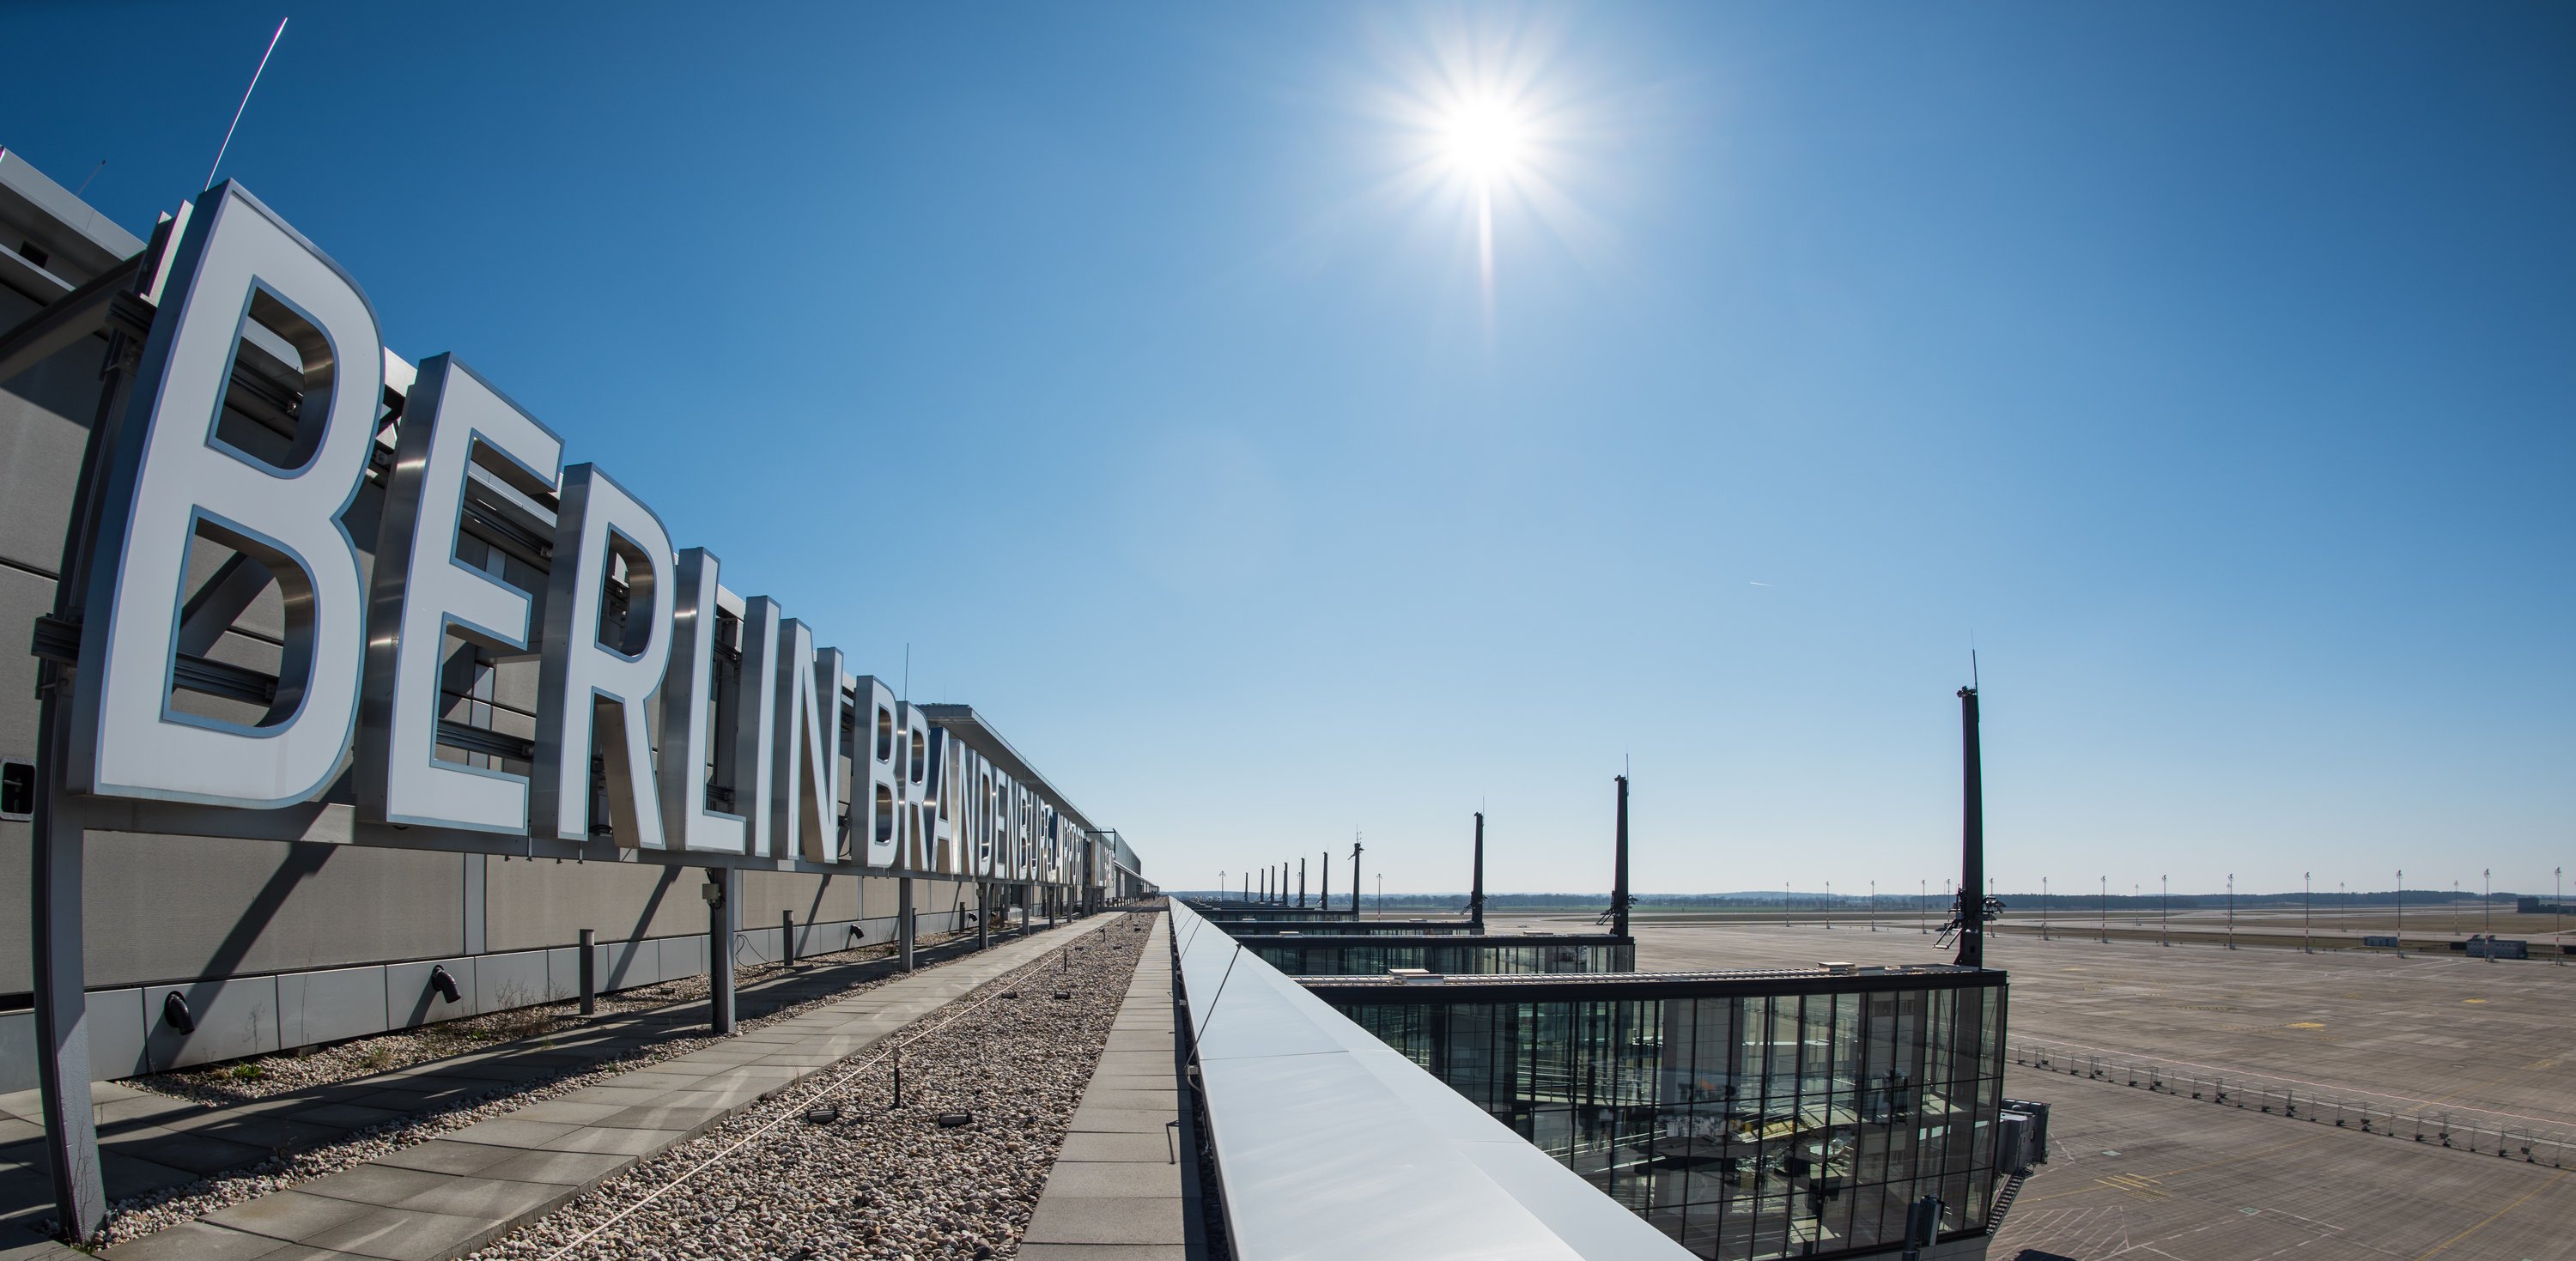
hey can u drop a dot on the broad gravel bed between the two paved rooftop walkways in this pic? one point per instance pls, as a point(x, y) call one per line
point(877, 1180)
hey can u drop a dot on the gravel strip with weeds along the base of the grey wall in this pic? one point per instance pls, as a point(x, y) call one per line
point(261, 1077)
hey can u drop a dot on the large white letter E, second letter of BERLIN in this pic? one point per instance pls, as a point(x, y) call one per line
point(424, 593)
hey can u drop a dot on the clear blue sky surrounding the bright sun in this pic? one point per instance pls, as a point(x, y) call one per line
point(2209, 367)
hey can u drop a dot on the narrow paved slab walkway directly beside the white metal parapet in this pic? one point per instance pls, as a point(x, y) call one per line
point(1117, 1185)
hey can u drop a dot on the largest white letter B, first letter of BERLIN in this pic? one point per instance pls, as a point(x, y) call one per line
point(176, 480)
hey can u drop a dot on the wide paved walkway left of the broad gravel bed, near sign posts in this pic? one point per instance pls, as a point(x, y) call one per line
point(457, 1193)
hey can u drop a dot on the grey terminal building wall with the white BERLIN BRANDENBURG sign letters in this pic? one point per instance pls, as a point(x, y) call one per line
point(292, 825)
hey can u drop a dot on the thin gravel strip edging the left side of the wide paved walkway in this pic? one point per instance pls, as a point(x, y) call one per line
point(158, 1211)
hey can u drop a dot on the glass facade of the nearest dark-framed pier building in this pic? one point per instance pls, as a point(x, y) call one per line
point(1750, 1121)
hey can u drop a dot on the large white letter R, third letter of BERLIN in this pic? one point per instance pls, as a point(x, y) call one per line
point(591, 694)
